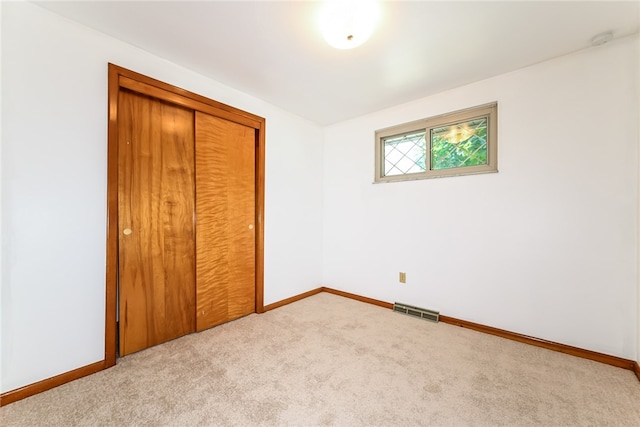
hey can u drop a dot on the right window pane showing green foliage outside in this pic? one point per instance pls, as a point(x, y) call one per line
point(458, 145)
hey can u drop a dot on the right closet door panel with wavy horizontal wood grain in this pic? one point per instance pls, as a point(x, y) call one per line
point(225, 212)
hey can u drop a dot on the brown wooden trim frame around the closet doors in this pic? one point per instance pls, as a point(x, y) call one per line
point(121, 78)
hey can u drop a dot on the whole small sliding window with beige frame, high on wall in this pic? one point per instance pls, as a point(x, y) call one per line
point(459, 143)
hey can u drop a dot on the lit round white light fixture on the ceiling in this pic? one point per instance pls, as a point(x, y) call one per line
point(346, 24)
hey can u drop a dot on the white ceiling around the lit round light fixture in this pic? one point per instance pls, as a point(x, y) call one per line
point(274, 50)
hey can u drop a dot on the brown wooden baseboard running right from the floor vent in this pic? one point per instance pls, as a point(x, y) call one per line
point(538, 342)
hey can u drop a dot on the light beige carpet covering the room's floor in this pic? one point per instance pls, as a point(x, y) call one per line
point(328, 360)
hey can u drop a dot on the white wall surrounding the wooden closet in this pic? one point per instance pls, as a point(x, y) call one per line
point(54, 99)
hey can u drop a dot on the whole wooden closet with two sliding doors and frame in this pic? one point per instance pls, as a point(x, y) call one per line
point(185, 200)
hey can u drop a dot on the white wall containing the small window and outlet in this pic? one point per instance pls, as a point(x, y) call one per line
point(546, 247)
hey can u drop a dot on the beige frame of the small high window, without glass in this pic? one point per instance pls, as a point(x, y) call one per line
point(490, 111)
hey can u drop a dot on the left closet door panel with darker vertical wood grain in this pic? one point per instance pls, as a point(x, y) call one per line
point(156, 221)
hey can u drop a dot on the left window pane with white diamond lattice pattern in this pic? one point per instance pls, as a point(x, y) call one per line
point(406, 153)
